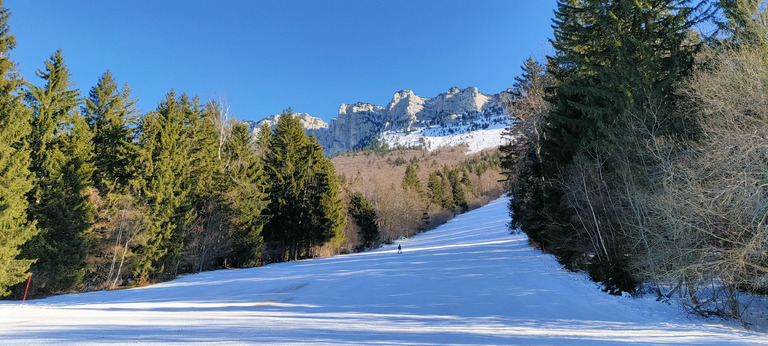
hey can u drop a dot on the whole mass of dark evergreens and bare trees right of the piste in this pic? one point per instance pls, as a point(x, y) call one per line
point(643, 147)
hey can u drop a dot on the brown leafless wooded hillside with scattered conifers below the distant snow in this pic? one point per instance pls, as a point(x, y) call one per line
point(408, 191)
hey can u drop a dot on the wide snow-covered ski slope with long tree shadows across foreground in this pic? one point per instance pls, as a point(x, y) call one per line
point(466, 282)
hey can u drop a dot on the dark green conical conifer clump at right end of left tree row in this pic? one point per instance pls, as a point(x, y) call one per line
point(305, 207)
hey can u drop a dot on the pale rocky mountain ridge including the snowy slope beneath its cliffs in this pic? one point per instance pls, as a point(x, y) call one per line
point(458, 116)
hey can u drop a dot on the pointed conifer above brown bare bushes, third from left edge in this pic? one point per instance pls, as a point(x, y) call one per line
point(111, 113)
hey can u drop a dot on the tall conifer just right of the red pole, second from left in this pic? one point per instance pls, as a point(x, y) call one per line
point(62, 162)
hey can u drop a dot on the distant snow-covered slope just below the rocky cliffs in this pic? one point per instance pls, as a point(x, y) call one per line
point(485, 137)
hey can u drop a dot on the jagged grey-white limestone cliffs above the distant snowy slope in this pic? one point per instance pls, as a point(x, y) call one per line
point(358, 124)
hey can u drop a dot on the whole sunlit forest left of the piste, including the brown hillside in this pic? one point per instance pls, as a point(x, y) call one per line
point(95, 195)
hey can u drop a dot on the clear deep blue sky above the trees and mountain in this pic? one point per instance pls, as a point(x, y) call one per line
point(266, 56)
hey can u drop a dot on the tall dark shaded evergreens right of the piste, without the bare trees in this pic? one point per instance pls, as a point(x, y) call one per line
point(615, 67)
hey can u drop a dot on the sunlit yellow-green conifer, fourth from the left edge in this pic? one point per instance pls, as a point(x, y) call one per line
point(164, 157)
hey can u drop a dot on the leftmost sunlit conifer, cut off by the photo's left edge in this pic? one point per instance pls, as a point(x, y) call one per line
point(15, 178)
